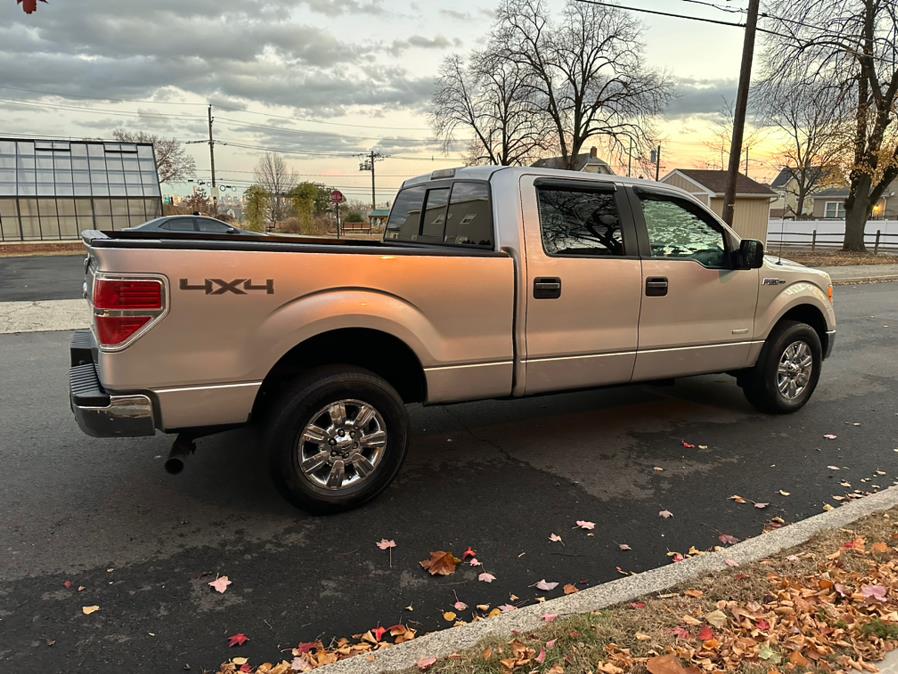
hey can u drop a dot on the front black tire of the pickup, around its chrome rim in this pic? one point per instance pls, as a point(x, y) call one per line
point(761, 383)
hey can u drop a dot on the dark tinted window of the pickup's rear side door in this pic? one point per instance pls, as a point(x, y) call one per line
point(578, 222)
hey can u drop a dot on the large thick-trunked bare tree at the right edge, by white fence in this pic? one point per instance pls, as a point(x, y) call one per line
point(854, 45)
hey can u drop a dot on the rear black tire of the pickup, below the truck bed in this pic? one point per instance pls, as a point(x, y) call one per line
point(309, 399)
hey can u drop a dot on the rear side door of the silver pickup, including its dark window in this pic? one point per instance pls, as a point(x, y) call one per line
point(583, 284)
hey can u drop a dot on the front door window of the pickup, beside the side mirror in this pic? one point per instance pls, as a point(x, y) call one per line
point(678, 229)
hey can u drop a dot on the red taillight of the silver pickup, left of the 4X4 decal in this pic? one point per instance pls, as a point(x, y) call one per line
point(123, 307)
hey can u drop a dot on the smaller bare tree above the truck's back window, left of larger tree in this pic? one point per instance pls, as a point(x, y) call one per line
point(490, 100)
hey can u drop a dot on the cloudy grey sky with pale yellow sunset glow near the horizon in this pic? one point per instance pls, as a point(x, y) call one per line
point(318, 80)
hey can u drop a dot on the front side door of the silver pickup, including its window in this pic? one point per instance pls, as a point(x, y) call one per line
point(697, 310)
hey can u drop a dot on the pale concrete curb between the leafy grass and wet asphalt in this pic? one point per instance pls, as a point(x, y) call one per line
point(452, 640)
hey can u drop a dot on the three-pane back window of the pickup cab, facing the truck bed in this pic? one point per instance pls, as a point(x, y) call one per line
point(458, 216)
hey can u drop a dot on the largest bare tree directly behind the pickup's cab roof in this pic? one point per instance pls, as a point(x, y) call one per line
point(587, 72)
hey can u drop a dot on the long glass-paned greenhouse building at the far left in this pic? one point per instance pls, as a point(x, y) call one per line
point(52, 189)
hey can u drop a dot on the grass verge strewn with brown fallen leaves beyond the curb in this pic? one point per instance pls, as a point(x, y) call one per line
point(838, 612)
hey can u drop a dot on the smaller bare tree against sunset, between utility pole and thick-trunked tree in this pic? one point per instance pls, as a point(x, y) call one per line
point(812, 115)
